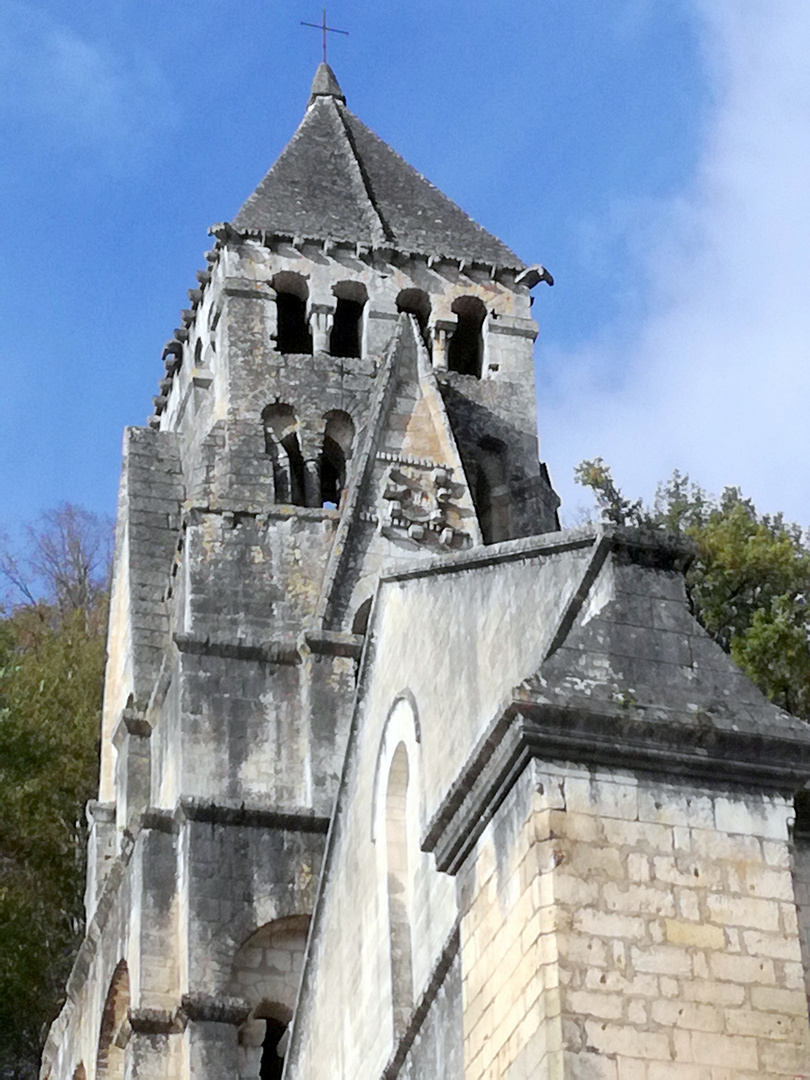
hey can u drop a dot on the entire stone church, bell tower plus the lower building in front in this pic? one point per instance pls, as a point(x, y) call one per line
point(399, 780)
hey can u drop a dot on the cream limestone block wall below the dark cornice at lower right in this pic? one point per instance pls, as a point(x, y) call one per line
point(628, 929)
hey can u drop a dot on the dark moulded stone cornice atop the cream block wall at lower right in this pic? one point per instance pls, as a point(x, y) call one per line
point(667, 750)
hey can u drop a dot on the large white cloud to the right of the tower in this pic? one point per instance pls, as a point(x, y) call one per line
point(713, 369)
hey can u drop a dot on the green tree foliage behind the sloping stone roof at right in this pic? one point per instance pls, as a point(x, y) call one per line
point(750, 580)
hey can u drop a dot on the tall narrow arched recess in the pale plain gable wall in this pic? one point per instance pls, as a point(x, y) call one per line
point(399, 889)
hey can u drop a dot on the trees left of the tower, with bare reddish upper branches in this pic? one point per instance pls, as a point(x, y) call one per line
point(52, 652)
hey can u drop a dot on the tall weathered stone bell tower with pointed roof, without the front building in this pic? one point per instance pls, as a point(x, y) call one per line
point(350, 391)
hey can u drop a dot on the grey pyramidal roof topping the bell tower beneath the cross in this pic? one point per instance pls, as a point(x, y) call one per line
point(337, 181)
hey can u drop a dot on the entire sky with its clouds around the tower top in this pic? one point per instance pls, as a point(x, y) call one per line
point(655, 155)
